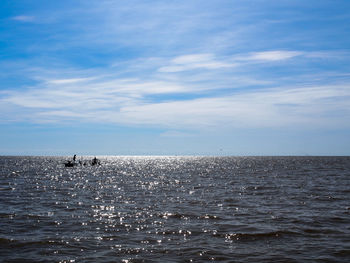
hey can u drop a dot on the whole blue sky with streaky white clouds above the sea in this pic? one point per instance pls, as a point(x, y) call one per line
point(176, 77)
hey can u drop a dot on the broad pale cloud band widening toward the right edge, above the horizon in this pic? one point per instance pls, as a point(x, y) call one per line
point(272, 108)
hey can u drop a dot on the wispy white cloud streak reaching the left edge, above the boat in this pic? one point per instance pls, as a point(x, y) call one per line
point(88, 94)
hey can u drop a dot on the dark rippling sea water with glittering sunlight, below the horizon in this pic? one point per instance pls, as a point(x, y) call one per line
point(176, 209)
